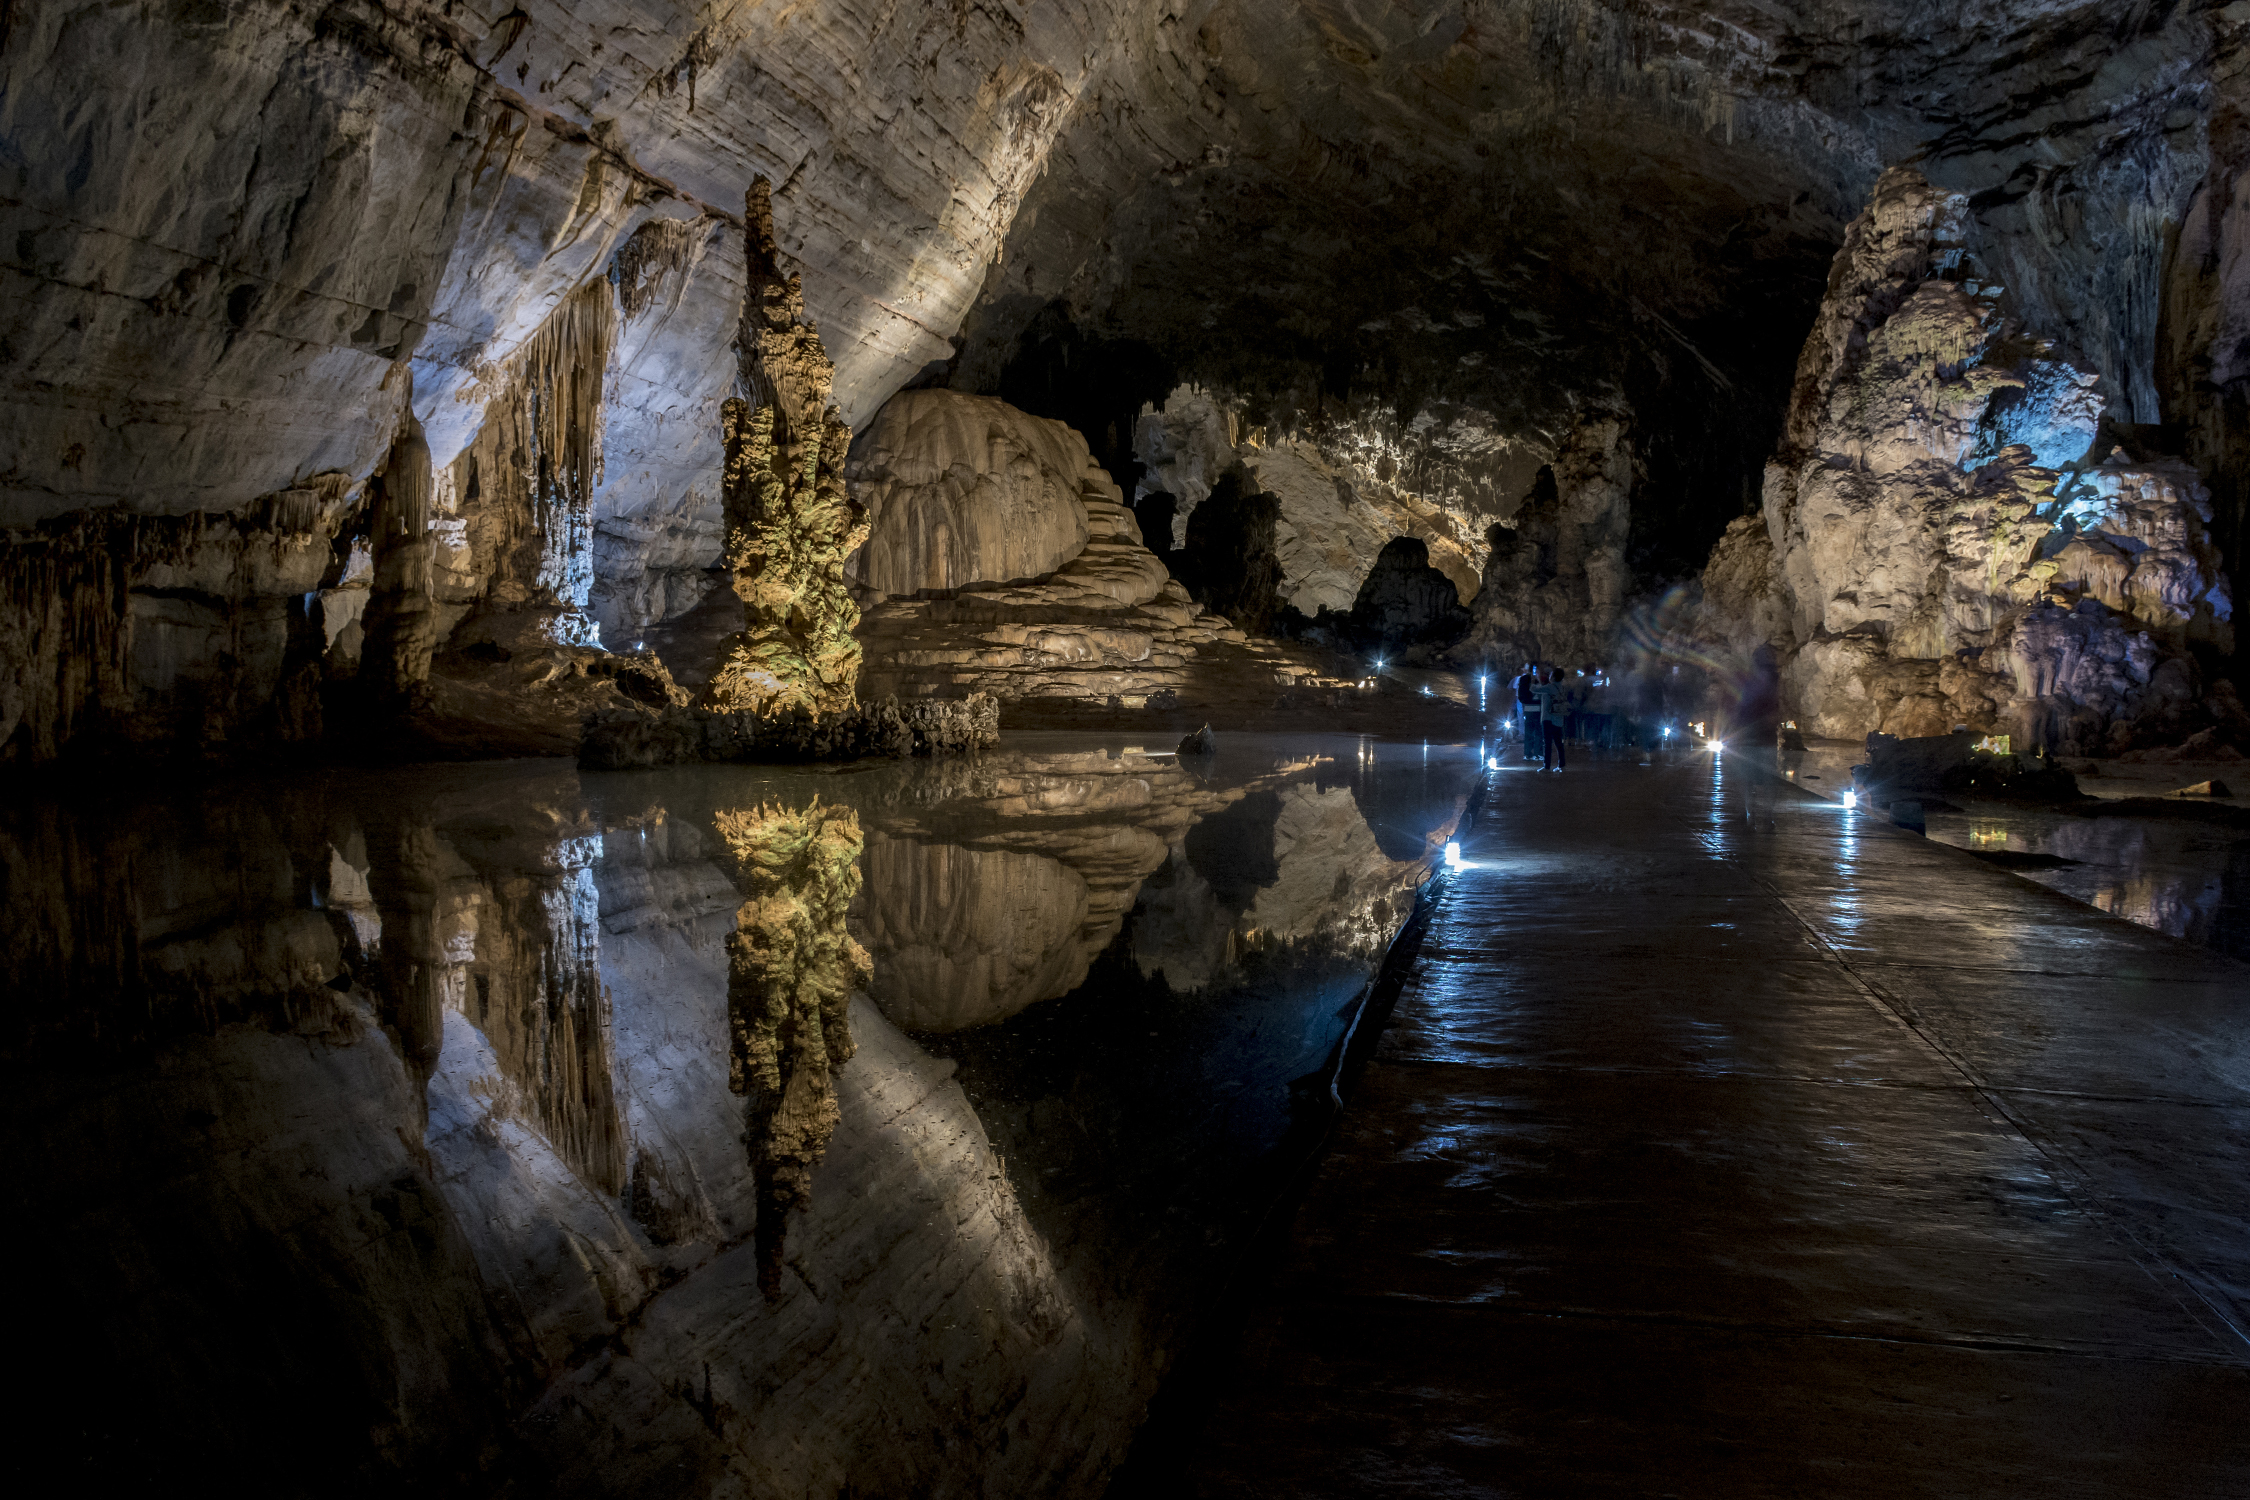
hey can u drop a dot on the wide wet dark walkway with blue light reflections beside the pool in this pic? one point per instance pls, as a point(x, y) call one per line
point(1763, 1162)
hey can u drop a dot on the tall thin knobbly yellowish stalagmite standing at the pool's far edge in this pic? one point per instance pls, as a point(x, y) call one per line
point(789, 518)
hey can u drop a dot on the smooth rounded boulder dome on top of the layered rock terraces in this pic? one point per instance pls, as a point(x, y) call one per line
point(964, 491)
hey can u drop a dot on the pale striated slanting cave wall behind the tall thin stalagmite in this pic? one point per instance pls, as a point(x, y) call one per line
point(240, 260)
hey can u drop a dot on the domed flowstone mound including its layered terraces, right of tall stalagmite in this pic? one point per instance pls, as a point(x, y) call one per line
point(942, 482)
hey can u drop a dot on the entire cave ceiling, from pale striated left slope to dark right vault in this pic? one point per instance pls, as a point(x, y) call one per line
point(242, 237)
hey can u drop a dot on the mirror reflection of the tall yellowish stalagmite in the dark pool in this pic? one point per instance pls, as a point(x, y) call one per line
point(791, 970)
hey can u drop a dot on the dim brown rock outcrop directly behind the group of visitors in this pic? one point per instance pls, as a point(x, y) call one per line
point(1556, 577)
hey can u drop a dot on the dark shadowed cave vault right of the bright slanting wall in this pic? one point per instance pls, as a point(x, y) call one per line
point(1545, 206)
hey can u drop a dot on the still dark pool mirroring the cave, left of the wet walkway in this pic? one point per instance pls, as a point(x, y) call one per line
point(440, 1128)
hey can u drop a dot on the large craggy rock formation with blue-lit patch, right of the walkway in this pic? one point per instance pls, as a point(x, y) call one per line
point(1945, 541)
